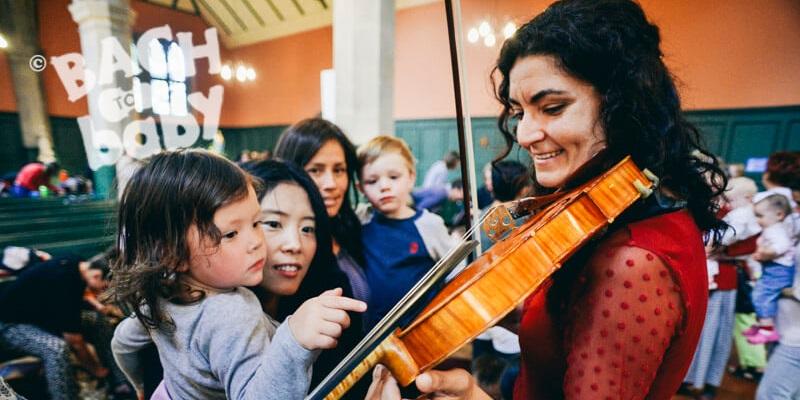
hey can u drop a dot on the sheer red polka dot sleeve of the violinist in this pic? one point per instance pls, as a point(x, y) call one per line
point(623, 317)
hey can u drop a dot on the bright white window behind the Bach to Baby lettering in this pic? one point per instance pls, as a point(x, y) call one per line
point(168, 86)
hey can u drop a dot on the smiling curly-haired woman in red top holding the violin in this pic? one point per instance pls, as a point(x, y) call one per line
point(582, 85)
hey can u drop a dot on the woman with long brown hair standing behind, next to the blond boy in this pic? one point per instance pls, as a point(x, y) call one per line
point(324, 152)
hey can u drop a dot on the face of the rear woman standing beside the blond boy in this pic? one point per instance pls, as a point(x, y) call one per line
point(328, 169)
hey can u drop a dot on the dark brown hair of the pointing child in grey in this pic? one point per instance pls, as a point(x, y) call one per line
point(172, 191)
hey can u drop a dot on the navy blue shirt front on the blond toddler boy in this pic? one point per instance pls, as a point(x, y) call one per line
point(396, 259)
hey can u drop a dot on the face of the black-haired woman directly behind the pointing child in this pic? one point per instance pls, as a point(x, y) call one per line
point(291, 242)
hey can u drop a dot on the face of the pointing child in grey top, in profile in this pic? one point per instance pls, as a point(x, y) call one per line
point(238, 259)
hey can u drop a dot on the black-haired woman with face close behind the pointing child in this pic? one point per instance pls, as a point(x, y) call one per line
point(300, 262)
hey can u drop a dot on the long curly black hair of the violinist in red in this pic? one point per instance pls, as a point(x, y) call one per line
point(610, 45)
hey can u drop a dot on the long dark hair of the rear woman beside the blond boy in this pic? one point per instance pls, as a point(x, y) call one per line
point(298, 144)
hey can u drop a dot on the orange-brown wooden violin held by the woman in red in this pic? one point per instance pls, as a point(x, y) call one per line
point(495, 283)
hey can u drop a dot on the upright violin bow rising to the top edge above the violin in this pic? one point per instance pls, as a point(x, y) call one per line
point(466, 151)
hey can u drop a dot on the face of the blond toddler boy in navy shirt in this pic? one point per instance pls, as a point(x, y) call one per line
point(387, 182)
